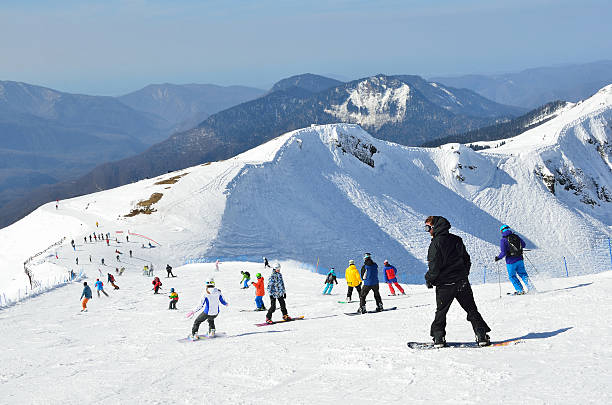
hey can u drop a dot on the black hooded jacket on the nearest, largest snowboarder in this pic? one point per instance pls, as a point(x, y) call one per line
point(448, 260)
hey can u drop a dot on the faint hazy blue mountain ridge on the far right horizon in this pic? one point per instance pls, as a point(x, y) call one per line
point(532, 88)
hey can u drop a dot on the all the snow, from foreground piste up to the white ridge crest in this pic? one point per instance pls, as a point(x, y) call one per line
point(315, 198)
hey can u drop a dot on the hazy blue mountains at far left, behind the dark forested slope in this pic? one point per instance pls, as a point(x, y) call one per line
point(48, 136)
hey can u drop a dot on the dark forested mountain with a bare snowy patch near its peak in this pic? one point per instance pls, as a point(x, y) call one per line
point(403, 109)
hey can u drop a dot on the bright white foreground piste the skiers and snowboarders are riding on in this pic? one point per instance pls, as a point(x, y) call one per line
point(125, 349)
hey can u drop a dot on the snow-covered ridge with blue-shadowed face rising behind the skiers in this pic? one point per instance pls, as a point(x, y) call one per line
point(329, 193)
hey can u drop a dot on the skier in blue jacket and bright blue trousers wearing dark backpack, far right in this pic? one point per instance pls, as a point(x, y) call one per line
point(511, 246)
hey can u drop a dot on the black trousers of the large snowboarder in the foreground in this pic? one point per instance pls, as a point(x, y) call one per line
point(445, 294)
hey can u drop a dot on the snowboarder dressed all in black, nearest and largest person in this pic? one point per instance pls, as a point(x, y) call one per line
point(449, 267)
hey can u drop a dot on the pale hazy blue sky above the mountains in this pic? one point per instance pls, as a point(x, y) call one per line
point(113, 47)
